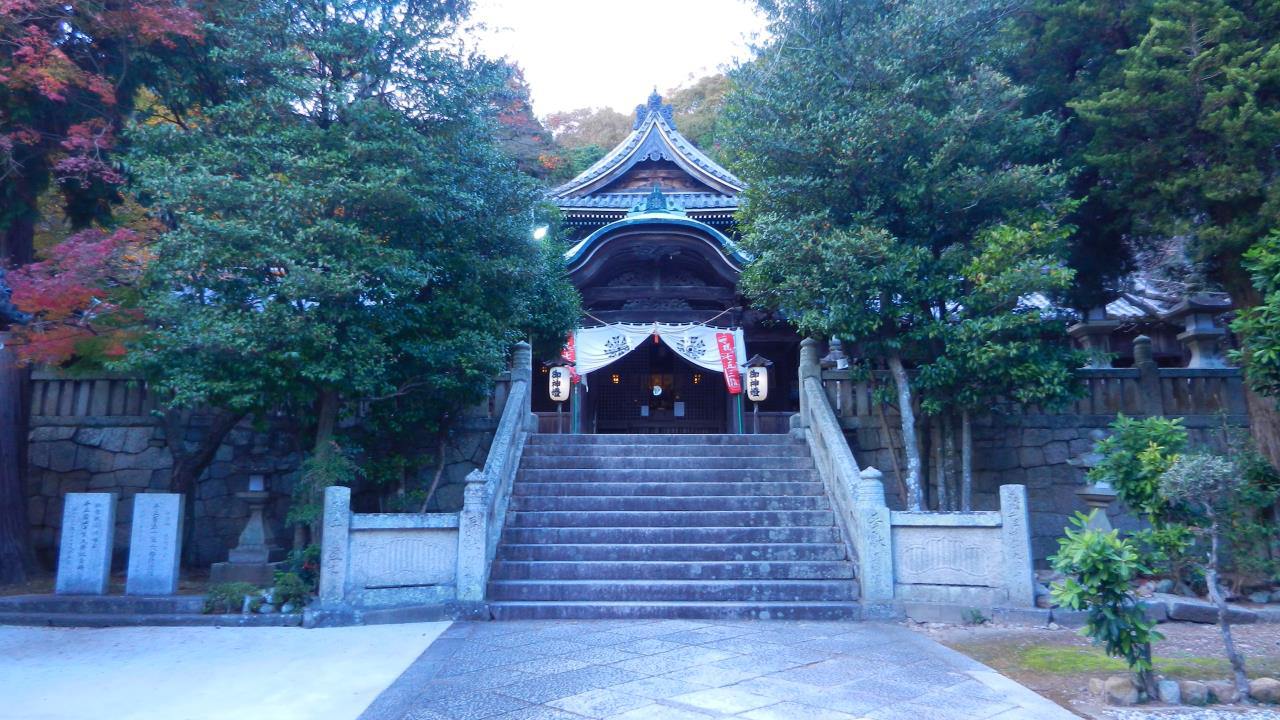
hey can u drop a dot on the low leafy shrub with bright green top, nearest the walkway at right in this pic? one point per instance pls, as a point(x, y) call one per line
point(1099, 568)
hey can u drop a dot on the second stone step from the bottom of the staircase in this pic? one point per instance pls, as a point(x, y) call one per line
point(689, 591)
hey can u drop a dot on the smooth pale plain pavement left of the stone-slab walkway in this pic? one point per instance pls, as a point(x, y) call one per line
point(203, 673)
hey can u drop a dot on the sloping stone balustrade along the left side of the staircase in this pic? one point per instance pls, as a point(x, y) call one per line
point(488, 491)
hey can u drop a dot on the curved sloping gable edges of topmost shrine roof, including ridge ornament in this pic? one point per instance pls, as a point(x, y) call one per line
point(653, 138)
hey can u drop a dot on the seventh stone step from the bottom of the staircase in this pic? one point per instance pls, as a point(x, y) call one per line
point(665, 504)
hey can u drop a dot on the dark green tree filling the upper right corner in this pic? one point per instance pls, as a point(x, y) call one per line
point(1186, 134)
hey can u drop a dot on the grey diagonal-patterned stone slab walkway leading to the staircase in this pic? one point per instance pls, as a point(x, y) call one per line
point(694, 671)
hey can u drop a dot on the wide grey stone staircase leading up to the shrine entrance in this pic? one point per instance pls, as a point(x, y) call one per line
point(714, 527)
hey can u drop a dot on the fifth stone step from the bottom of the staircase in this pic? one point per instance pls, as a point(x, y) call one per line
point(665, 536)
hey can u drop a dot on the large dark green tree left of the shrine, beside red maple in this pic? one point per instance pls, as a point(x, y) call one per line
point(344, 227)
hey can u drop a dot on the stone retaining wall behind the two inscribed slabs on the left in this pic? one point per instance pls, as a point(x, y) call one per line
point(102, 435)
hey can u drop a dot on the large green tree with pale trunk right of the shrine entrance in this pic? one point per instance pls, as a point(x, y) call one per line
point(884, 151)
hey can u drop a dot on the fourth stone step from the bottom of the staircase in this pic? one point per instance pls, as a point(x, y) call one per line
point(739, 553)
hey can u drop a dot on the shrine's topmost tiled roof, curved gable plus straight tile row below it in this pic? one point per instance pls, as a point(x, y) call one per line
point(655, 138)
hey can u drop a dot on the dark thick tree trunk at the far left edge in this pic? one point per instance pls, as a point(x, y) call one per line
point(16, 555)
